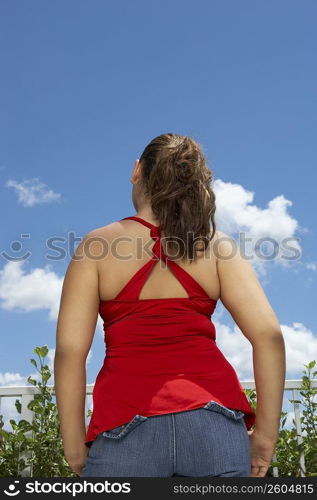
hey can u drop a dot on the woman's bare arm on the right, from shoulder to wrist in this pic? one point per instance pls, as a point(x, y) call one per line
point(243, 296)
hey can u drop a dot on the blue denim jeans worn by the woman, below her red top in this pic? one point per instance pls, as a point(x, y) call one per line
point(209, 441)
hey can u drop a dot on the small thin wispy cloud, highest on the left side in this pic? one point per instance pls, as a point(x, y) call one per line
point(32, 192)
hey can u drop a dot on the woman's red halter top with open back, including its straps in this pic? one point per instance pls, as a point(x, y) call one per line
point(161, 354)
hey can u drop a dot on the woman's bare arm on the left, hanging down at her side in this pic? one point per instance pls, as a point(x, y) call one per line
point(76, 325)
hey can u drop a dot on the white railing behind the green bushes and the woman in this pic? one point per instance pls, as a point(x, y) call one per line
point(26, 393)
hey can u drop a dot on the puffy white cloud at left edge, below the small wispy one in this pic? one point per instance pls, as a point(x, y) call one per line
point(36, 290)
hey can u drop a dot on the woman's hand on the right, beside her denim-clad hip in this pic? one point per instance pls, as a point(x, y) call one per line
point(261, 453)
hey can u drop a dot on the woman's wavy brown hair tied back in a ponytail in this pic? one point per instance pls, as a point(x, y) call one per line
point(177, 180)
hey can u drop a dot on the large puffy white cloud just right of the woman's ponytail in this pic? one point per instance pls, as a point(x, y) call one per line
point(237, 213)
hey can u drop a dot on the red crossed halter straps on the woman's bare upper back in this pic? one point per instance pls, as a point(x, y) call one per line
point(132, 289)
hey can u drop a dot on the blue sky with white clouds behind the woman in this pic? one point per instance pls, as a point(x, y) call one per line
point(86, 85)
